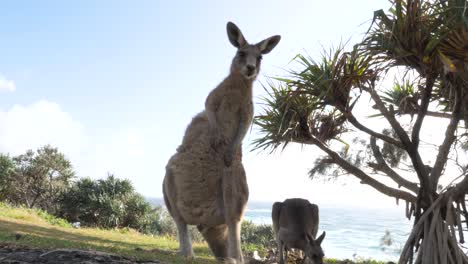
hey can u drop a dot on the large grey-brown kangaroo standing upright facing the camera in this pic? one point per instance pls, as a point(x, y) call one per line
point(205, 183)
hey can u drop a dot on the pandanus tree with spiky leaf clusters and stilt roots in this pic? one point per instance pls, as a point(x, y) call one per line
point(316, 105)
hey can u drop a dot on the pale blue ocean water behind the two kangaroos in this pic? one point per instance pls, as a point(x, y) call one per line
point(352, 232)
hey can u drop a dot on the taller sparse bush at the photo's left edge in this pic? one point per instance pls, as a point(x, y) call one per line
point(35, 179)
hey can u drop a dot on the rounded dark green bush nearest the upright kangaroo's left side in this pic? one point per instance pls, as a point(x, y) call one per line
point(107, 203)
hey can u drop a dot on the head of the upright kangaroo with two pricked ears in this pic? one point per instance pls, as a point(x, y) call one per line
point(249, 56)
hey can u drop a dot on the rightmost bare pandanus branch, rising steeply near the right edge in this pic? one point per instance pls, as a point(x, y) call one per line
point(450, 137)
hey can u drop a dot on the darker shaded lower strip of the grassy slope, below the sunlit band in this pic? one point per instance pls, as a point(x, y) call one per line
point(53, 237)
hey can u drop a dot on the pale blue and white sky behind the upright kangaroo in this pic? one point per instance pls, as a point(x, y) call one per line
point(113, 84)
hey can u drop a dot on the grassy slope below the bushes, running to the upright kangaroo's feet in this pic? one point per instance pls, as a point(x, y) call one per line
point(40, 230)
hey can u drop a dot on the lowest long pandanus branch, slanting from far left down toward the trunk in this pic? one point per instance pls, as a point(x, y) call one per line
point(365, 179)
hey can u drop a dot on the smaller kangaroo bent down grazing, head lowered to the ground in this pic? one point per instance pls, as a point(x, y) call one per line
point(295, 222)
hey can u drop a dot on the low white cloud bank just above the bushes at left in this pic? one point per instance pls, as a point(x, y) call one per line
point(24, 127)
